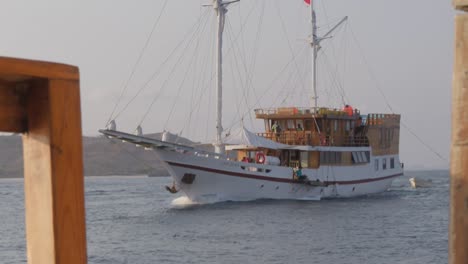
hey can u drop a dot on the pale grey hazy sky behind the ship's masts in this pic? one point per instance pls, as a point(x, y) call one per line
point(403, 48)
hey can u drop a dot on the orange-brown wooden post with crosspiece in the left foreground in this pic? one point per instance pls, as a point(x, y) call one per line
point(42, 101)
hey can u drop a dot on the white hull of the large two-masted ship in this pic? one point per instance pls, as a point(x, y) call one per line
point(223, 180)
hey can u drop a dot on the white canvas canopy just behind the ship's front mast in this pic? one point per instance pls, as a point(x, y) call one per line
point(241, 138)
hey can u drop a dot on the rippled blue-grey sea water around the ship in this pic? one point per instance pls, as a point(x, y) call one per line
point(134, 220)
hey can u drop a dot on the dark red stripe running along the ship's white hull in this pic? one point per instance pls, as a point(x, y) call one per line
point(273, 179)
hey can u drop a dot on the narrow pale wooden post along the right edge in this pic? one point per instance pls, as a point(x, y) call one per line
point(458, 236)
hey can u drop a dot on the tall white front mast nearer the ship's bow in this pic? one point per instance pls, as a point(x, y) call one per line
point(221, 10)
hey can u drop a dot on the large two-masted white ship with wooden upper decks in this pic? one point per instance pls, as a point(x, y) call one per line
point(304, 153)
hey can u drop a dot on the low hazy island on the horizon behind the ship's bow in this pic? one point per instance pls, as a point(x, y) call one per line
point(102, 157)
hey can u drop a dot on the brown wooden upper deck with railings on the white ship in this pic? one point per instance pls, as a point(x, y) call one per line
point(332, 127)
